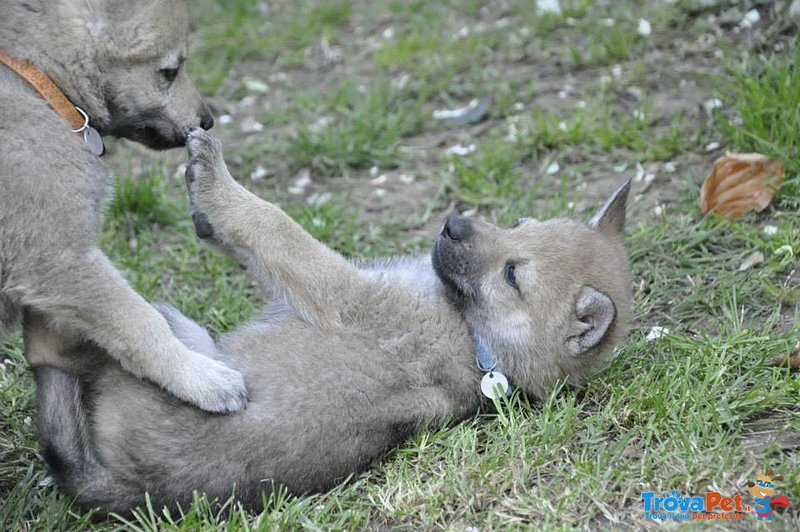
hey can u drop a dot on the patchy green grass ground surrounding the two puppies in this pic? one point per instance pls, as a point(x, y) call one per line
point(697, 409)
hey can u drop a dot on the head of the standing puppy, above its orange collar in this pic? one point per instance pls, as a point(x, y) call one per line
point(132, 55)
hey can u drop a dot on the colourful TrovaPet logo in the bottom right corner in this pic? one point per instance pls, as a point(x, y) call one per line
point(714, 505)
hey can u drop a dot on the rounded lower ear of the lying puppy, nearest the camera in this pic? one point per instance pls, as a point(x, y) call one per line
point(593, 316)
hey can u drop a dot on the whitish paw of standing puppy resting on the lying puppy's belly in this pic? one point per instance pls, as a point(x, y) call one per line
point(210, 385)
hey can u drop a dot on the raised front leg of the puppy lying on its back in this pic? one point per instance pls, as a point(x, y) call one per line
point(314, 278)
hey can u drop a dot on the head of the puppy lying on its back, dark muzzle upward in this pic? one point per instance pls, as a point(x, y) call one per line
point(551, 299)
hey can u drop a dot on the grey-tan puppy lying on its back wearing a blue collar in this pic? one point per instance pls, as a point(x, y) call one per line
point(348, 360)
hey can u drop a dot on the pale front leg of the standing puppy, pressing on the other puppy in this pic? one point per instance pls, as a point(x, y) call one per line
point(87, 295)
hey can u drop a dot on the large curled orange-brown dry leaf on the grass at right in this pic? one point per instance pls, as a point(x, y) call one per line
point(741, 182)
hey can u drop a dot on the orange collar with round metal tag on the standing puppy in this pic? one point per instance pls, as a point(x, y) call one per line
point(73, 115)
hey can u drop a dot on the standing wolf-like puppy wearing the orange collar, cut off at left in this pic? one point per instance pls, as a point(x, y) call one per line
point(122, 63)
